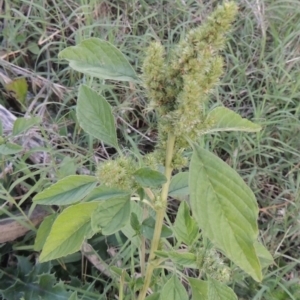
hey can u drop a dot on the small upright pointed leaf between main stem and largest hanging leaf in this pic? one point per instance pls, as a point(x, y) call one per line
point(185, 227)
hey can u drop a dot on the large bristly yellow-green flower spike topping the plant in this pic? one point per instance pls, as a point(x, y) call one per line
point(179, 83)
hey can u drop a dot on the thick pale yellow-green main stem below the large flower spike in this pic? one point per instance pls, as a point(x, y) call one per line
point(160, 214)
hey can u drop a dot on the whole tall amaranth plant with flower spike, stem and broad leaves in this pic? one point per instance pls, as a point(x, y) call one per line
point(130, 194)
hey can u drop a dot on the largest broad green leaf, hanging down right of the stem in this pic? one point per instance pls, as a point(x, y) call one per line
point(225, 208)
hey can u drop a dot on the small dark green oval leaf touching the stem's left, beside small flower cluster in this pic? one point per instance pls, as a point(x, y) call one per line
point(147, 177)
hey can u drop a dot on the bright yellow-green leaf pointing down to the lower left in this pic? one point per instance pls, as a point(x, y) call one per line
point(69, 230)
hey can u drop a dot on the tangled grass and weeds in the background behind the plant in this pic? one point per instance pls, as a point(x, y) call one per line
point(261, 82)
